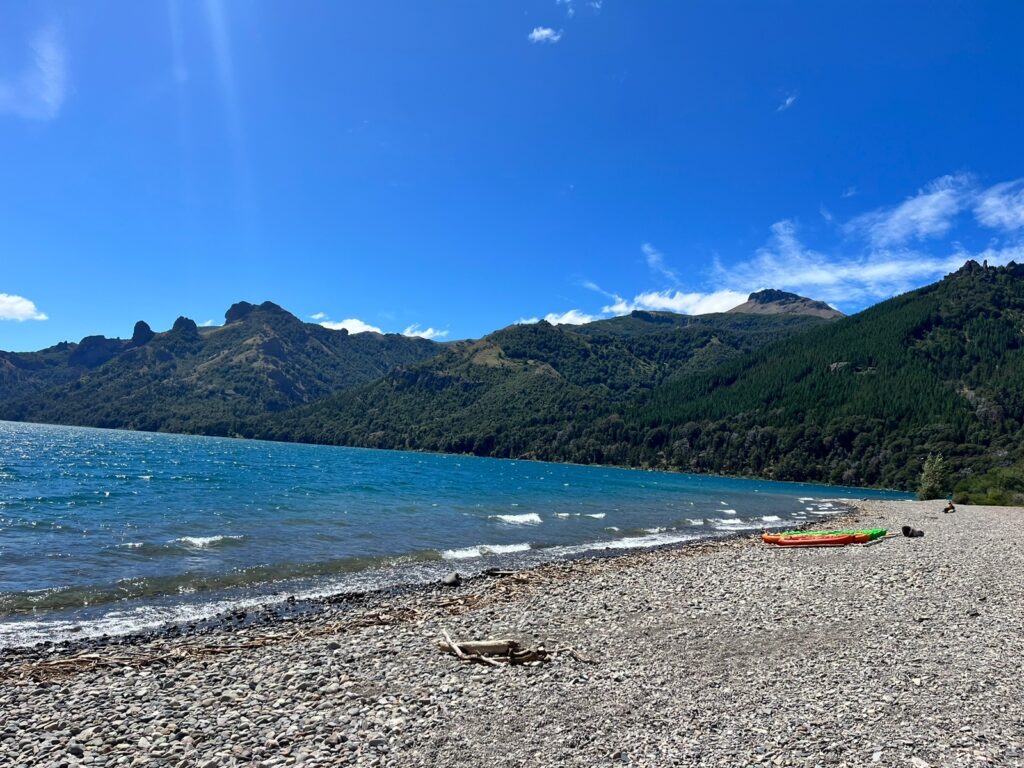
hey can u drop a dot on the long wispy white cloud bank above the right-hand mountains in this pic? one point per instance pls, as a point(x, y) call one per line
point(885, 252)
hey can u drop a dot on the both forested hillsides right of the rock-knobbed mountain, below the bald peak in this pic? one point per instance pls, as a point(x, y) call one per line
point(858, 401)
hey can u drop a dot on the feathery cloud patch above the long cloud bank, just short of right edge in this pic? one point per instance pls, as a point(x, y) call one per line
point(930, 214)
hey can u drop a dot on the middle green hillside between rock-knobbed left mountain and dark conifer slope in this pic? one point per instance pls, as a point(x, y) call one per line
point(531, 391)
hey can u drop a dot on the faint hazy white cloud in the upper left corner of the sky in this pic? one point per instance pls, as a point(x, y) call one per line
point(38, 93)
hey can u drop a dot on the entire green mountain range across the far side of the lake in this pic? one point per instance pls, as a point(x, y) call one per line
point(782, 387)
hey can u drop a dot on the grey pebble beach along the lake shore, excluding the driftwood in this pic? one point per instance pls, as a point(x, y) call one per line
point(907, 653)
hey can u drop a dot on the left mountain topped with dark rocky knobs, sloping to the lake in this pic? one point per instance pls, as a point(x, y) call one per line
point(208, 380)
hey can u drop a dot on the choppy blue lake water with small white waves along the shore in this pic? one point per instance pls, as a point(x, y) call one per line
point(104, 532)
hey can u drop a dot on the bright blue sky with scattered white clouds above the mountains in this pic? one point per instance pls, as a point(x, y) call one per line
point(449, 168)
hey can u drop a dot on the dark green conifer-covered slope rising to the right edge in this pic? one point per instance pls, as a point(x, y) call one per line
point(863, 401)
